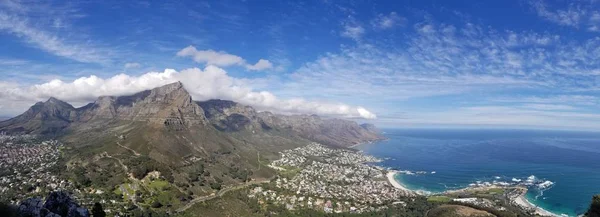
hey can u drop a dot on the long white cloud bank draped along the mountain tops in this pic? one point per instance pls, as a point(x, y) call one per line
point(209, 83)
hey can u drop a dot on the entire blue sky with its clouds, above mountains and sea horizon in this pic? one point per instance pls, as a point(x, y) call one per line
point(521, 63)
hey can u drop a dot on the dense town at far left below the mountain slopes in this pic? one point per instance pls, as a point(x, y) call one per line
point(31, 167)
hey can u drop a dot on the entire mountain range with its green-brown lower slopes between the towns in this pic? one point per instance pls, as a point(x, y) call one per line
point(198, 148)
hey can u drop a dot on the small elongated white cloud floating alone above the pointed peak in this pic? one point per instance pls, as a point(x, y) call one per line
point(221, 59)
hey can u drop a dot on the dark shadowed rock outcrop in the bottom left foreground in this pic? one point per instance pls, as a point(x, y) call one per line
point(58, 204)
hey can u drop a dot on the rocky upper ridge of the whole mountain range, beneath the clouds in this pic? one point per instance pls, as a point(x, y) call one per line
point(172, 106)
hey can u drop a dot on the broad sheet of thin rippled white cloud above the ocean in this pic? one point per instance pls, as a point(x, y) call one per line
point(440, 59)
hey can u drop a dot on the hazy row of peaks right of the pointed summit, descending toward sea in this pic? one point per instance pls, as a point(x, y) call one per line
point(230, 116)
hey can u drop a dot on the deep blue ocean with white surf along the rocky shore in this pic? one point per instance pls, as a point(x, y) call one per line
point(560, 168)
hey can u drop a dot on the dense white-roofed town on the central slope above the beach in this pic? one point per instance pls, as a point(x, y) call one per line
point(334, 180)
